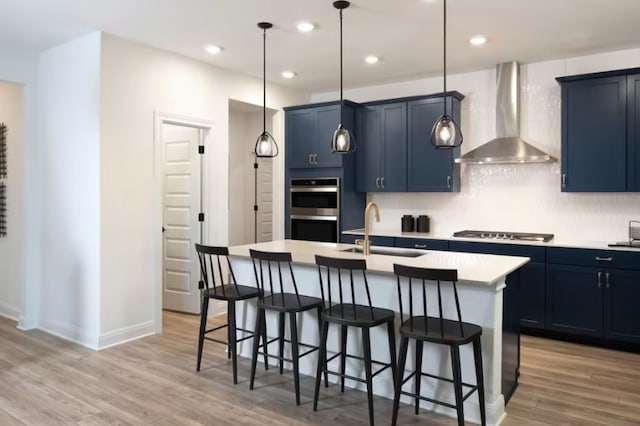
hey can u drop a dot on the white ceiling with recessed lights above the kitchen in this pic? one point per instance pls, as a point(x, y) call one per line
point(406, 34)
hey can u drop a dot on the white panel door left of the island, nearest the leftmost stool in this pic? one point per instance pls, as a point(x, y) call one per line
point(181, 205)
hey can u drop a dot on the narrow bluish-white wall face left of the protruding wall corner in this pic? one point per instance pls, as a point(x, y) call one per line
point(69, 139)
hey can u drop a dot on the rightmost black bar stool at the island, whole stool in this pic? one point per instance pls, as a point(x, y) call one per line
point(421, 327)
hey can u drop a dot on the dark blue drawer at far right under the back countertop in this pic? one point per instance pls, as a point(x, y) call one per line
point(591, 257)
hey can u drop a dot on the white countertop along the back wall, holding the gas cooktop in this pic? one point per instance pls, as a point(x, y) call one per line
point(598, 245)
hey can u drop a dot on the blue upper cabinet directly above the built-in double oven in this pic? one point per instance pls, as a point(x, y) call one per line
point(308, 133)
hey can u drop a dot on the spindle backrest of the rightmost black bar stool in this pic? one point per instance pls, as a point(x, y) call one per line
point(407, 276)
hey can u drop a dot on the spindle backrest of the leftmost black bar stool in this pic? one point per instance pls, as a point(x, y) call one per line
point(214, 264)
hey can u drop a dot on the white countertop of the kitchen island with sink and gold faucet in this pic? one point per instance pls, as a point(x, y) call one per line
point(476, 268)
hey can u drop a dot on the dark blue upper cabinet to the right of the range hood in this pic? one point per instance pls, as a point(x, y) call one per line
point(600, 132)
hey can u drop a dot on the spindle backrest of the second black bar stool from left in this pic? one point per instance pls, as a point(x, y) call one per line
point(270, 269)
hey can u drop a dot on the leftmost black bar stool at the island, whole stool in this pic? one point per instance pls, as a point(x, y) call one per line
point(214, 266)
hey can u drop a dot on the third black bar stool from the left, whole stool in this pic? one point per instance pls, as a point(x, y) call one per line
point(337, 281)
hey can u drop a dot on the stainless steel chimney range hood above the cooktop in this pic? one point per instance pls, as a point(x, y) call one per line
point(507, 147)
